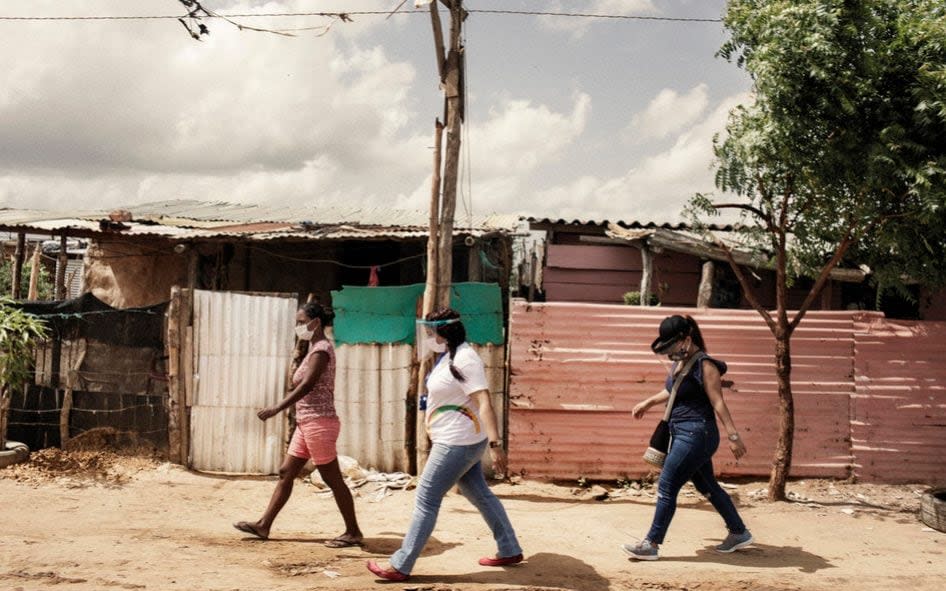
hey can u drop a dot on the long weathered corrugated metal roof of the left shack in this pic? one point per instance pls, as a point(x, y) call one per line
point(191, 219)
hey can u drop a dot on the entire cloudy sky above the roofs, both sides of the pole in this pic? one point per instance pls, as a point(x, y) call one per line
point(567, 117)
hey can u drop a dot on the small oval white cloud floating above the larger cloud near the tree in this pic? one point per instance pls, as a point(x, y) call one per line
point(668, 113)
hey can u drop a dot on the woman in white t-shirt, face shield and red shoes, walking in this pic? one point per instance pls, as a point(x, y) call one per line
point(461, 423)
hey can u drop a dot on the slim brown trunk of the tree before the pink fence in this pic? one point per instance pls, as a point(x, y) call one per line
point(782, 461)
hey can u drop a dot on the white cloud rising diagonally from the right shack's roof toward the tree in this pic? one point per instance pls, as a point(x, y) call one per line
point(658, 188)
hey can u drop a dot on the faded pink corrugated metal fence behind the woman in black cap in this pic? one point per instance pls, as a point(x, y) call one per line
point(860, 384)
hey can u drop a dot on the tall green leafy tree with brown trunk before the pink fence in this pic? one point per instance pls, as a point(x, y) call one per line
point(842, 151)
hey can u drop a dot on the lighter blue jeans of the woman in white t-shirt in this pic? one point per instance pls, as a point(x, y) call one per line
point(448, 465)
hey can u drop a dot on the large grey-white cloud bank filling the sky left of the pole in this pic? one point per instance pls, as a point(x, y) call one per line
point(104, 110)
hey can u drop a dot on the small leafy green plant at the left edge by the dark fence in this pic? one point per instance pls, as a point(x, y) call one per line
point(17, 332)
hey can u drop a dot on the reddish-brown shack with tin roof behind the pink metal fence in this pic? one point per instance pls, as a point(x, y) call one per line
point(599, 262)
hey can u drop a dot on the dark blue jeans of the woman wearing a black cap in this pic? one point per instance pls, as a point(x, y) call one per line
point(692, 447)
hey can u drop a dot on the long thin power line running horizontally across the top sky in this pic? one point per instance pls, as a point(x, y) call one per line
point(361, 13)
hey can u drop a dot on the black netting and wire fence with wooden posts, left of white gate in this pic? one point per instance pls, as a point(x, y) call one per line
point(100, 373)
